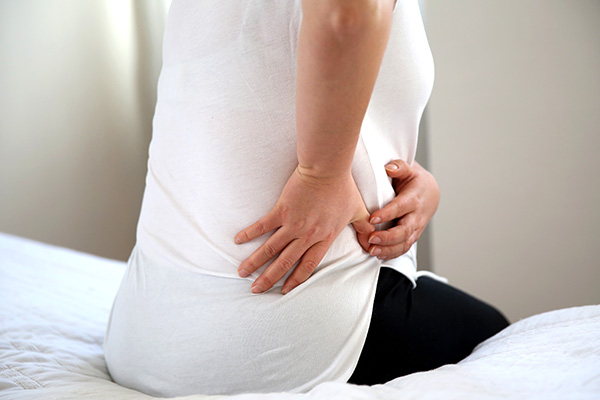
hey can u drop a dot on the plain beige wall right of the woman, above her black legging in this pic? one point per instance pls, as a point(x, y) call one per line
point(515, 134)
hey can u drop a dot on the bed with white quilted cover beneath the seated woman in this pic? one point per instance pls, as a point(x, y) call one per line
point(54, 304)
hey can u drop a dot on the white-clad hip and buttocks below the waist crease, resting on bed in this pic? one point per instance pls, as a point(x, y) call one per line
point(176, 332)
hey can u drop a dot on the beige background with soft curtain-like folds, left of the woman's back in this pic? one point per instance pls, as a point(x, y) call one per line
point(77, 95)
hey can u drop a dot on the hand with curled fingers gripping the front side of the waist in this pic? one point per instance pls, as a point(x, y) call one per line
point(417, 199)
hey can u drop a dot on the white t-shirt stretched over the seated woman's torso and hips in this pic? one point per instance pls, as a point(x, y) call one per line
point(224, 145)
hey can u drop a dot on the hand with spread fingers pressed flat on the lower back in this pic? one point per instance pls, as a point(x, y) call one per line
point(308, 216)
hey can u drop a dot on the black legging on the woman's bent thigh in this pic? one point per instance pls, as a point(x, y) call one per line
point(421, 329)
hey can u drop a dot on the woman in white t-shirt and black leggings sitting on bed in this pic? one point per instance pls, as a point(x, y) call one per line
point(280, 117)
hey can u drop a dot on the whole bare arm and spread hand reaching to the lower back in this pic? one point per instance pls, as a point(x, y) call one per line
point(340, 48)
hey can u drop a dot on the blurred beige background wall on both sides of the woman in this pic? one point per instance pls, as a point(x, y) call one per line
point(513, 133)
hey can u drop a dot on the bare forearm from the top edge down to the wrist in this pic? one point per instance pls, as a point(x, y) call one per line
point(340, 49)
